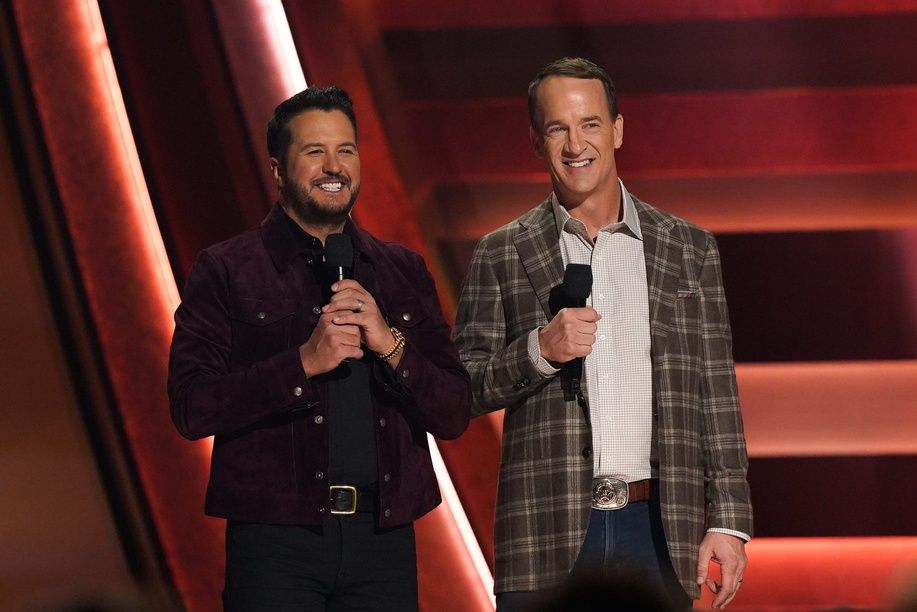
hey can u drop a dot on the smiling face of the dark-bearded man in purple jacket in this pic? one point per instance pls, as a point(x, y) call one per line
point(319, 179)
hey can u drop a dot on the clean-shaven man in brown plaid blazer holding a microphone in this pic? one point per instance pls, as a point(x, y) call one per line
point(644, 469)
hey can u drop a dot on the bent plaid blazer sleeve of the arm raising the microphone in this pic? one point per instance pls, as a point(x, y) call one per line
point(502, 373)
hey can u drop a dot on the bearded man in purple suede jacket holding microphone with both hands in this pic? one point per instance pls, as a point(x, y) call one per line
point(319, 393)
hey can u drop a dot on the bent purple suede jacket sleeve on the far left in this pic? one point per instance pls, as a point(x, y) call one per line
point(207, 394)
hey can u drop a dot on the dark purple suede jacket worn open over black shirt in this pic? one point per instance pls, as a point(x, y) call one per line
point(235, 373)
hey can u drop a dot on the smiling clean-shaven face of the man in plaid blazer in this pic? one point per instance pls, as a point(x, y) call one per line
point(576, 137)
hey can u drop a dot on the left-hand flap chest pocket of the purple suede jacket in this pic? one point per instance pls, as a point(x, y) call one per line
point(261, 328)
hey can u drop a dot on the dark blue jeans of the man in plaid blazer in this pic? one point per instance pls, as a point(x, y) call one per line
point(624, 554)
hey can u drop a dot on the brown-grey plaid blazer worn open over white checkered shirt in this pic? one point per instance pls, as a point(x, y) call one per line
point(545, 486)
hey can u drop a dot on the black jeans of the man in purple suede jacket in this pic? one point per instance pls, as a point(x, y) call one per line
point(346, 564)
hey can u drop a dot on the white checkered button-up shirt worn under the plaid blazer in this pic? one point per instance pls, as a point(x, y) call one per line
point(619, 370)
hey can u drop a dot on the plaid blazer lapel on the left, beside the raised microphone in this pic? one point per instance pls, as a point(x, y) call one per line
point(539, 251)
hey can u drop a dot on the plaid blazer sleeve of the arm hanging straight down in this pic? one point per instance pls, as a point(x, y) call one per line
point(725, 455)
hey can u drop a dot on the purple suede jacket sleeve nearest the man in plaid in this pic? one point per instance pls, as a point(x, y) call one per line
point(430, 386)
